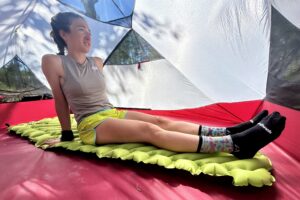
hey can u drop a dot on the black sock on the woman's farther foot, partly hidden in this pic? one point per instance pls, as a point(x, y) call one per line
point(246, 125)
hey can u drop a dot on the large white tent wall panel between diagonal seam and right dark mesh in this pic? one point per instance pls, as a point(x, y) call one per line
point(222, 47)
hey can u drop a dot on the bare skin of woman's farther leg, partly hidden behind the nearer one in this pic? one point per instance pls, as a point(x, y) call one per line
point(164, 123)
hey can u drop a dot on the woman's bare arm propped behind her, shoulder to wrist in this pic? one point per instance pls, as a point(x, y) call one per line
point(53, 70)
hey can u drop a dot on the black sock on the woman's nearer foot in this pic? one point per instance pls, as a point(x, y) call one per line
point(248, 142)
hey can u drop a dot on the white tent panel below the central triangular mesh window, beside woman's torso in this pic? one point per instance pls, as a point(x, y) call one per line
point(150, 85)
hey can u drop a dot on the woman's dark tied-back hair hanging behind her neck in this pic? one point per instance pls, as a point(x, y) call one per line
point(62, 21)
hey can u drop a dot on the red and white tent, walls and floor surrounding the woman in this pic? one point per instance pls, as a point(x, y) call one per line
point(211, 62)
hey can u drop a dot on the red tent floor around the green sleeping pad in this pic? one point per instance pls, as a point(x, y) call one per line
point(27, 172)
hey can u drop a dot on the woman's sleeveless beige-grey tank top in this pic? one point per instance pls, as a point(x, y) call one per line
point(84, 87)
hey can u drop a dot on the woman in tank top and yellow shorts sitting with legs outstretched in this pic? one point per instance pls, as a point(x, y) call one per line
point(77, 82)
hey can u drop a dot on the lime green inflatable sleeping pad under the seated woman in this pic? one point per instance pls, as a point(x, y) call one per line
point(248, 172)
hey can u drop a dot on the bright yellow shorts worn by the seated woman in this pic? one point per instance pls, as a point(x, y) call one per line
point(87, 126)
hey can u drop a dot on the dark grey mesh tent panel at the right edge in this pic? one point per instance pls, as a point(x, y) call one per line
point(283, 84)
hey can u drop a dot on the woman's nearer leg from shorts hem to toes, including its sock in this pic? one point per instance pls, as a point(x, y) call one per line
point(242, 145)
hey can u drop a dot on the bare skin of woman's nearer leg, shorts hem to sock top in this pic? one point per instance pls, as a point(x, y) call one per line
point(124, 131)
